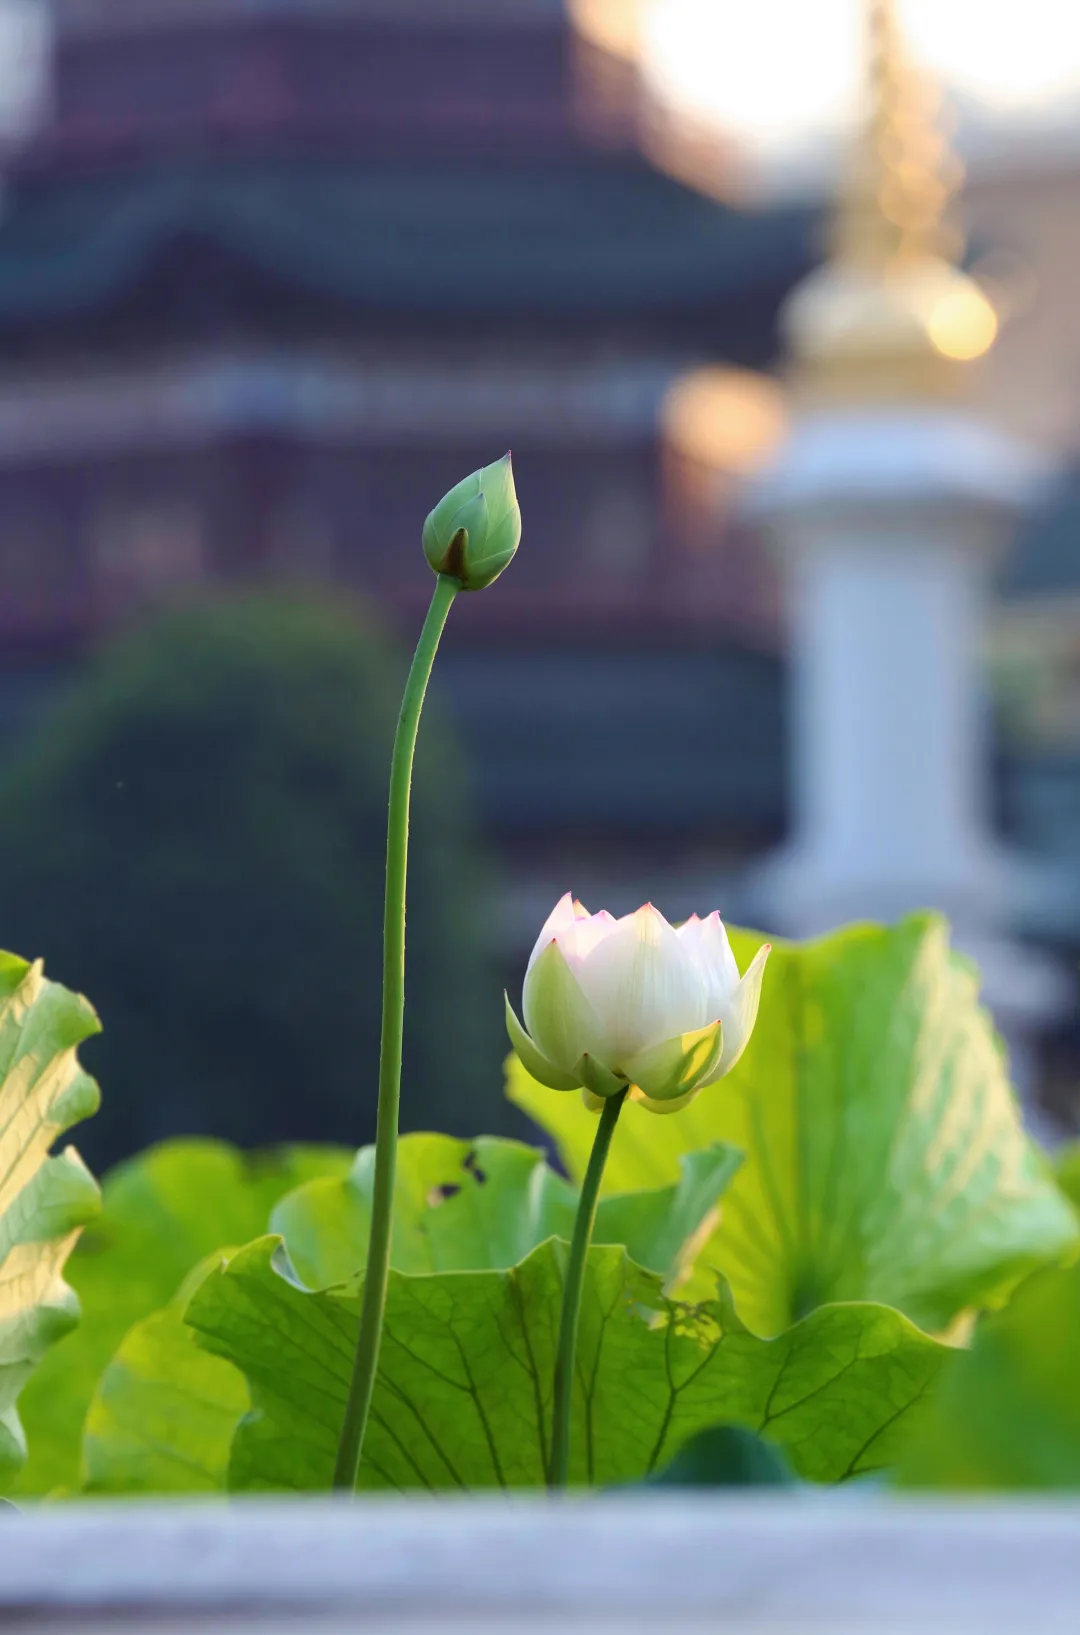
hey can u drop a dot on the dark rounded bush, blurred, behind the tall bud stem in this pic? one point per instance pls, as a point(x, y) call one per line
point(197, 836)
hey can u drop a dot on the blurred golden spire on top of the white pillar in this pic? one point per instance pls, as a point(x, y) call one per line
point(890, 316)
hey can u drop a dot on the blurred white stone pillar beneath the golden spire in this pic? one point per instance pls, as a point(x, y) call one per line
point(888, 526)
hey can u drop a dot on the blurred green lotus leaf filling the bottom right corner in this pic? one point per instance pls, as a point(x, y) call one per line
point(1009, 1410)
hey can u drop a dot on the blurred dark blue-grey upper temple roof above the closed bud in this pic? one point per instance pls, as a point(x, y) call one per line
point(615, 240)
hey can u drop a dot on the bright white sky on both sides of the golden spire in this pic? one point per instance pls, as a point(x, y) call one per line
point(780, 74)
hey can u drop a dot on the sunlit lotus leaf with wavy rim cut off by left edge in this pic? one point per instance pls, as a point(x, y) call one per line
point(45, 1201)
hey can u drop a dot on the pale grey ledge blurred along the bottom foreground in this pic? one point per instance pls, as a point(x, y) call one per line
point(852, 1562)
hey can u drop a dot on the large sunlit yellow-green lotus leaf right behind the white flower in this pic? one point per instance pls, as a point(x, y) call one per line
point(885, 1150)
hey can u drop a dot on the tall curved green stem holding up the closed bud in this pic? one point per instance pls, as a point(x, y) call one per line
point(378, 1270)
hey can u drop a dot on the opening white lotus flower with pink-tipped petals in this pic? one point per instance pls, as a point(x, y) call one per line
point(635, 1001)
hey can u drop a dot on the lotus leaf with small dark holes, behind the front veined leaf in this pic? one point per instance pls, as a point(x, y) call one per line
point(481, 1206)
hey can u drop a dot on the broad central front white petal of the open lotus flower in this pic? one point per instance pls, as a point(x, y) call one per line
point(643, 985)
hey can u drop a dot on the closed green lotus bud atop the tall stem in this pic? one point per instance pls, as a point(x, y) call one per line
point(475, 531)
